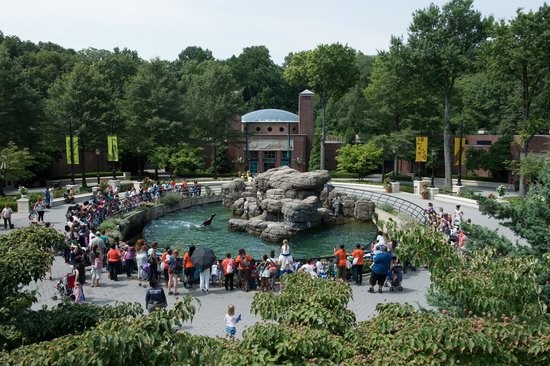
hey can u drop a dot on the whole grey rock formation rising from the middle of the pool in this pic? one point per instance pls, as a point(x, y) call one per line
point(282, 202)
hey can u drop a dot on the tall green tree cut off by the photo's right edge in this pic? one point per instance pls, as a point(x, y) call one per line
point(519, 50)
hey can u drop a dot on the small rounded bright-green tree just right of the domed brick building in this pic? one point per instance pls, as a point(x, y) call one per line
point(359, 159)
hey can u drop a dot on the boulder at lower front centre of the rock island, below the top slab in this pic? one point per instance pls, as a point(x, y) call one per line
point(301, 215)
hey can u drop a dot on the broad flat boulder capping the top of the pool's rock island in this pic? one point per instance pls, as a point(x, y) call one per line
point(286, 179)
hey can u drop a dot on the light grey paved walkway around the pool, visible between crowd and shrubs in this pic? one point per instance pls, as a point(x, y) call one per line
point(209, 317)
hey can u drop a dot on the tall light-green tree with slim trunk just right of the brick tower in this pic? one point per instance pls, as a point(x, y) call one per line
point(330, 70)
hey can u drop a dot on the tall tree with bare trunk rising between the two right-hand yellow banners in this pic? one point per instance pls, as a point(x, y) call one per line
point(444, 42)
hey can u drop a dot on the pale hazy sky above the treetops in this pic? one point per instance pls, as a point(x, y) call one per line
point(163, 28)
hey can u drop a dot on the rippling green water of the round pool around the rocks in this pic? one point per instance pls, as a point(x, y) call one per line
point(181, 229)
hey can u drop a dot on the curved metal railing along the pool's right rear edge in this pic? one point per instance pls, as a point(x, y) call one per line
point(401, 205)
